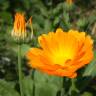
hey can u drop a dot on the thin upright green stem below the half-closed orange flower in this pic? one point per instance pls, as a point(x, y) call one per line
point(20, 69)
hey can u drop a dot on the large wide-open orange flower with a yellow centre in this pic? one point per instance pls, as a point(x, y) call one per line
point(61, 53)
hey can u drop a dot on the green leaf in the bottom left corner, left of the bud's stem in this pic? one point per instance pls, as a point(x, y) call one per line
point(6, 89)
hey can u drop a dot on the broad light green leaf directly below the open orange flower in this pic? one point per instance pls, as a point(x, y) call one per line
point(46, 85)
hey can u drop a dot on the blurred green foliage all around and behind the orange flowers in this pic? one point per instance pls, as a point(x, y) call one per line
point(47, 15)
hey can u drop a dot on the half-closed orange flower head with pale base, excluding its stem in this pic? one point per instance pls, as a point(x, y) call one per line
point(19, 29)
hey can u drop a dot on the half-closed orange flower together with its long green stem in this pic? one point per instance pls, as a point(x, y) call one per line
point(20, 34)
